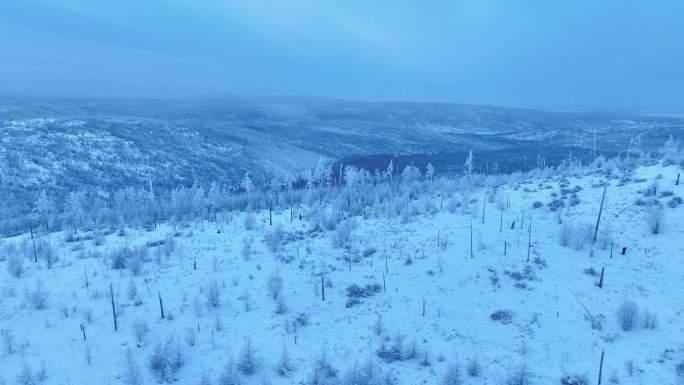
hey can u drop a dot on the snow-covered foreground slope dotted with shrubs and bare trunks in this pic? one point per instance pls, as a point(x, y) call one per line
point(444, 315)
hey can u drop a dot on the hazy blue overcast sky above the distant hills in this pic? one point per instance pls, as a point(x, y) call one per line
point(612, 55)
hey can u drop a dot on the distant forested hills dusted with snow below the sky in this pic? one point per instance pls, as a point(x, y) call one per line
point(61, 144)
